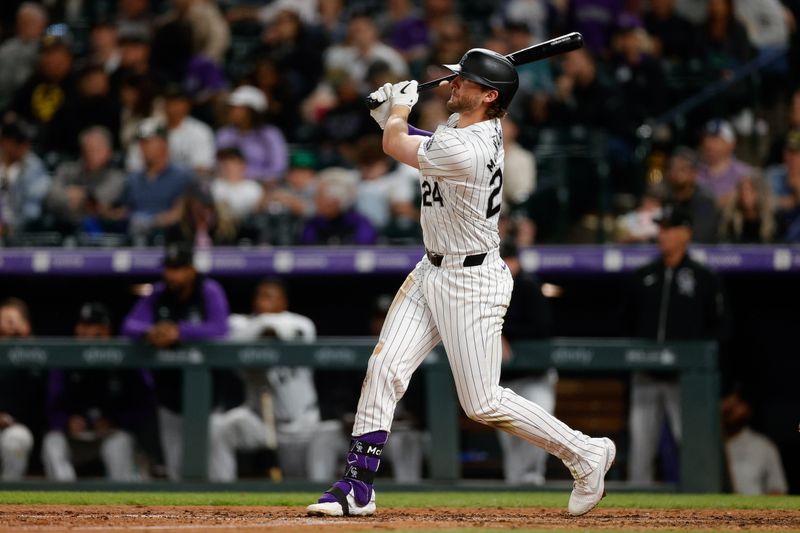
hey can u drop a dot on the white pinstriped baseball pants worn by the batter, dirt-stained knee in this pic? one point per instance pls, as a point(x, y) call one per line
point(464, 308)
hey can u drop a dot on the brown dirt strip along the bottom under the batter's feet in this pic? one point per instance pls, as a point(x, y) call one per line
point(57, 518)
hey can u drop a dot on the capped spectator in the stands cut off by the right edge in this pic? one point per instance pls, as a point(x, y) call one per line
point(785, 182)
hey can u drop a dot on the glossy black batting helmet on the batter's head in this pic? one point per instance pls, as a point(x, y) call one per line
point(490, 69)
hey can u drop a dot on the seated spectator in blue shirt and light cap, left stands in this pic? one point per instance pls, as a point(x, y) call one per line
point(152, 198)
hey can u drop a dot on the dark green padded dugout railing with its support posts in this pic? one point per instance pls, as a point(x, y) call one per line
point(694, 362)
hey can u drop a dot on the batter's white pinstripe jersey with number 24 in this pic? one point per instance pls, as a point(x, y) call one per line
point(461, 176)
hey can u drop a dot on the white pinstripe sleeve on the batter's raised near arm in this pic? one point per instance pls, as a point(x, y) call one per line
point(445, 155)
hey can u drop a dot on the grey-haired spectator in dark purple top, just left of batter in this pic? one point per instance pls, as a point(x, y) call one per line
point(336, 220)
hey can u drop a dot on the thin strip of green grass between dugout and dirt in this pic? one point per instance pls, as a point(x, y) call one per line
point(405, 499)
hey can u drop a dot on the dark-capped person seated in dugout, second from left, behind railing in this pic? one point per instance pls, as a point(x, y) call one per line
point(94, 414)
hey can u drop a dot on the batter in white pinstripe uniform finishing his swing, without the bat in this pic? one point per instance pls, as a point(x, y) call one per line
point(458, 292)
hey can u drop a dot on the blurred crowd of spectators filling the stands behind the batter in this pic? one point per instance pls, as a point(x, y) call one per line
point(139, 122)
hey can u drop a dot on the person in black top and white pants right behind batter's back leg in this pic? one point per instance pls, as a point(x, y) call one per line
point(529, 316)
